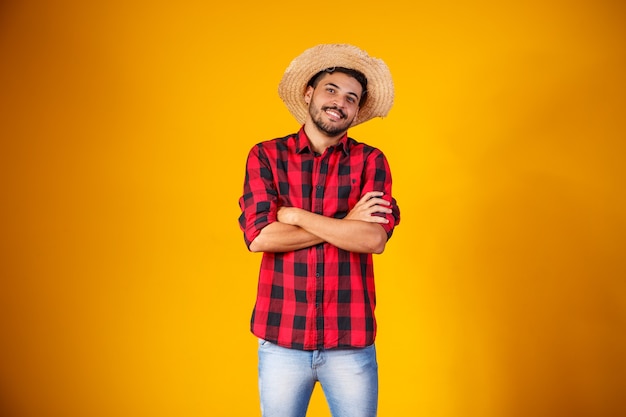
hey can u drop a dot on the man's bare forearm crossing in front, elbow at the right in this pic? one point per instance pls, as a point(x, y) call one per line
point(351, 235)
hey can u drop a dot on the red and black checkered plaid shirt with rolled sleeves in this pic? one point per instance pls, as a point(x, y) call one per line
point(320, 297)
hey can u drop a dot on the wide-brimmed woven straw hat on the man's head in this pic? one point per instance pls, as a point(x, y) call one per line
point(379, 83)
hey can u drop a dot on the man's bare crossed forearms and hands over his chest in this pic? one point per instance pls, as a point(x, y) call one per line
point(297, 228)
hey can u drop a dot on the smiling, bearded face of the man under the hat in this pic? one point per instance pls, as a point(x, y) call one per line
point(334, 103)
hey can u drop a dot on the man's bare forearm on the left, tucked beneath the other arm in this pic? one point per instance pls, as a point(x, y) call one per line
point(281, 237)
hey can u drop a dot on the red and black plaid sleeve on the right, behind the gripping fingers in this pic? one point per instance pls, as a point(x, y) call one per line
point(378, 178)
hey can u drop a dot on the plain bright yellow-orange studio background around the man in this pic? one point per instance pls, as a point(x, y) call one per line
point(126, 288)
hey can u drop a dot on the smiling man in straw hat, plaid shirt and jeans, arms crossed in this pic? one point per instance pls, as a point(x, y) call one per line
point(318, 204)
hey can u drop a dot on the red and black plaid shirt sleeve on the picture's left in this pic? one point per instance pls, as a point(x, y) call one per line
point(259, 200)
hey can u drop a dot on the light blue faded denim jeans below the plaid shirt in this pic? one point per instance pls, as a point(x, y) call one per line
point(349, 379)
